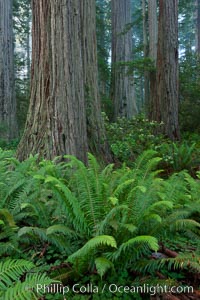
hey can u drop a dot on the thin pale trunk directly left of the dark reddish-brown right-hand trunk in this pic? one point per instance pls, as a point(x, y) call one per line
point(153, 41)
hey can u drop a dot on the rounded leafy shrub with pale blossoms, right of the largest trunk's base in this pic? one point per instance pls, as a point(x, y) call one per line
point(129, 138)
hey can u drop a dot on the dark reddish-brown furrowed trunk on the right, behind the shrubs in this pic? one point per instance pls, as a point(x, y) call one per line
point(166, 102)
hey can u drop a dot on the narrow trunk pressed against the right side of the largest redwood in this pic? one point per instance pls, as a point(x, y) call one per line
point(95, 127)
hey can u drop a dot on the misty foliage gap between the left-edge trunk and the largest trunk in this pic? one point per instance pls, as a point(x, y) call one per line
point(22, 57)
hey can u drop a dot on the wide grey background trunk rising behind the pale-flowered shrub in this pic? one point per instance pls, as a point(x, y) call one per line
point(122, 84)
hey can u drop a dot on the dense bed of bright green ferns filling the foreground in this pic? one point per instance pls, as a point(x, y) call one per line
point(87, 223)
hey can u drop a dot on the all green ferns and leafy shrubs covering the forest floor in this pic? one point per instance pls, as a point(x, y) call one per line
point(132, 223)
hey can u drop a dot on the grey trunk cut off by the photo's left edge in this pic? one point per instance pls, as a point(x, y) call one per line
point(8, 121)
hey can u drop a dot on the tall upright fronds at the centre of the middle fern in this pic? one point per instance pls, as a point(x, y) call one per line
point(91, 187)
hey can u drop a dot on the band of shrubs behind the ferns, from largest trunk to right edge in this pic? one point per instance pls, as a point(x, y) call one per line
point(129, 138)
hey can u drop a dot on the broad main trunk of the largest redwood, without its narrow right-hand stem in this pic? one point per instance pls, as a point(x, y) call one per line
point(56, 122)
